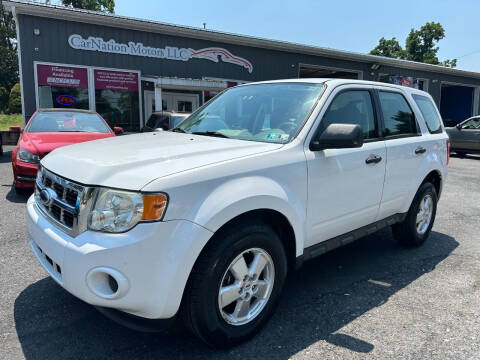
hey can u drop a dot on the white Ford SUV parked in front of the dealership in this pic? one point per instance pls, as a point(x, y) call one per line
point(203, 222)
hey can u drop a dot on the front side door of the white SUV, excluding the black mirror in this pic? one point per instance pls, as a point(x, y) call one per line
point(345, 185)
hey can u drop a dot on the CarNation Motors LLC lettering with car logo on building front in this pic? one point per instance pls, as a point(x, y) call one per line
point(169, 52)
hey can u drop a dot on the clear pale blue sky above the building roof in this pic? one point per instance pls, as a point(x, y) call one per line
point(339, 24)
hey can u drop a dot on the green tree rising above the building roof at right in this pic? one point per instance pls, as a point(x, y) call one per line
point(420, 45)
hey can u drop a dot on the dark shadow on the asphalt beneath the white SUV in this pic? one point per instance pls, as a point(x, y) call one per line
point(318, 301)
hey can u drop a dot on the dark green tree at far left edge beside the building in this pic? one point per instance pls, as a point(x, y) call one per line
point(8, 50)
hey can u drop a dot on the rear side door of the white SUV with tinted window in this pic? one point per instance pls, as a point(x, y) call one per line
point(405, 149)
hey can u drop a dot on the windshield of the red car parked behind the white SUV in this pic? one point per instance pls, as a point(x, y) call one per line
point(60, 121)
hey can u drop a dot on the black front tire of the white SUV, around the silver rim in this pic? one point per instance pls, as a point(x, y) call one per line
point(216, 330)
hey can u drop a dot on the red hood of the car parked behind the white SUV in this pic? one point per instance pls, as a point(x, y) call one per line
point(45, 142)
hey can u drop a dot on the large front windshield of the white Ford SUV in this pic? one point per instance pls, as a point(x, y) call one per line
point(259, 112)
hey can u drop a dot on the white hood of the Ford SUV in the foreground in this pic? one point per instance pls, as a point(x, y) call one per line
point(132, 161)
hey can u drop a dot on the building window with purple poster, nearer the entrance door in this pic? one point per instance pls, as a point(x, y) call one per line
point(116, 98)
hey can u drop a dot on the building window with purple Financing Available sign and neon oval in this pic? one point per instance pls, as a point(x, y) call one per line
point(62, 87)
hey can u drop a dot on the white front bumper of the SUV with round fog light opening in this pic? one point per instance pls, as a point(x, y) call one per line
point(151, 263)
